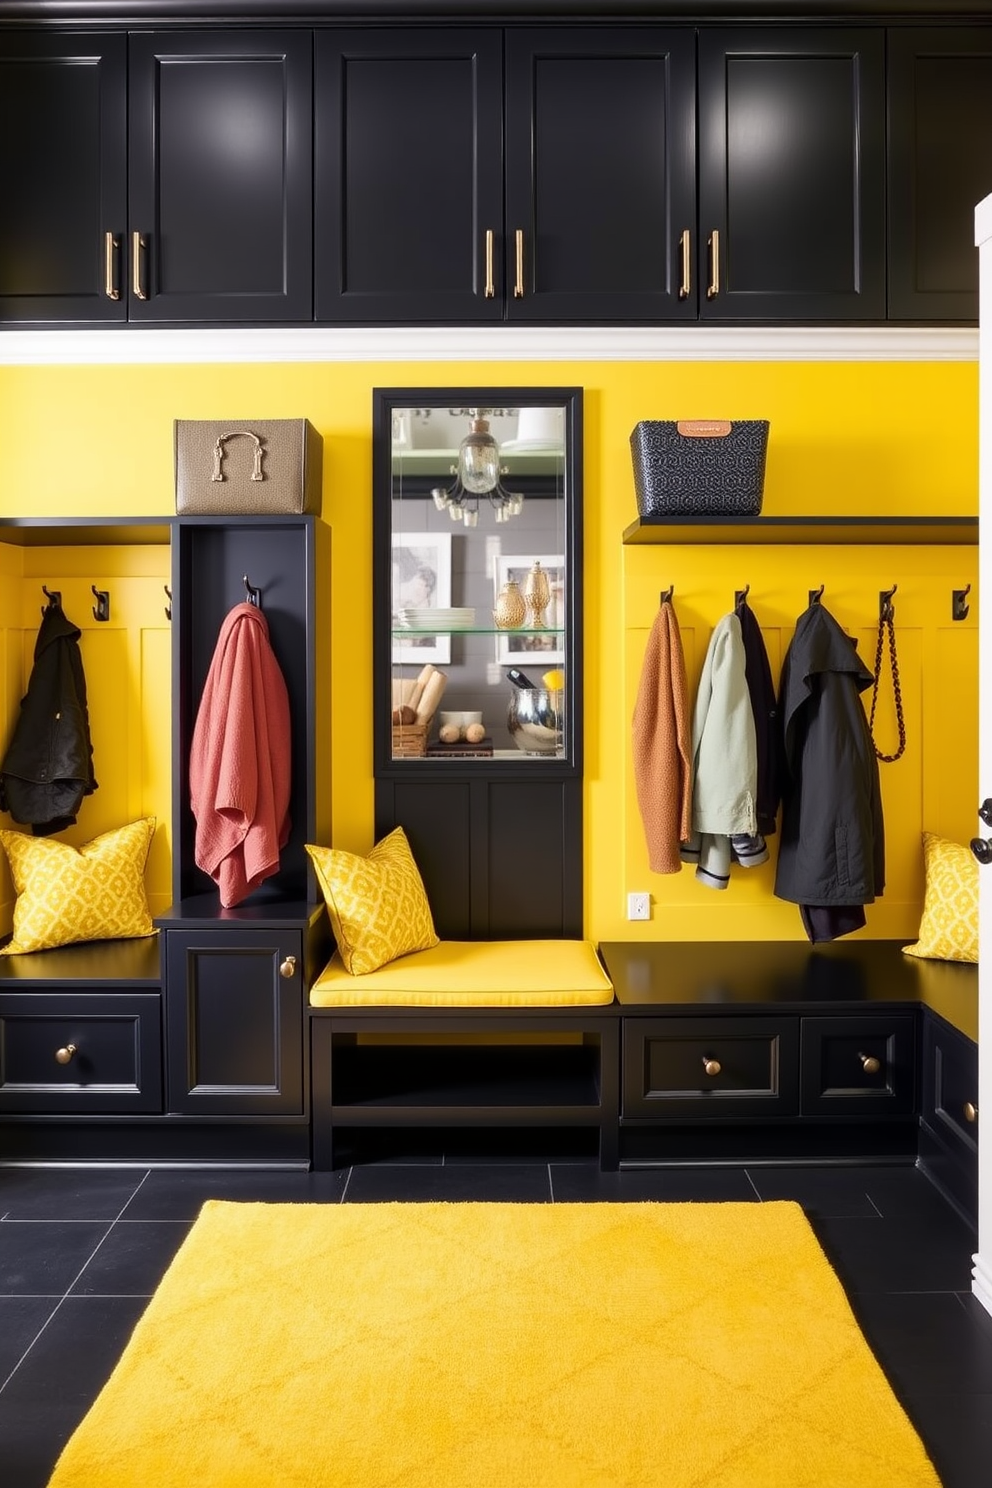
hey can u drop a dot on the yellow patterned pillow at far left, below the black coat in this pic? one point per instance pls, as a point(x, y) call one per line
point(66, 894)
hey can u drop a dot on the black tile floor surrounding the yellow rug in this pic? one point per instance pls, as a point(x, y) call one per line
point(83, 1252)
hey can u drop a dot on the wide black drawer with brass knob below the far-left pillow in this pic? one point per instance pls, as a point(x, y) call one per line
point(81, 1053)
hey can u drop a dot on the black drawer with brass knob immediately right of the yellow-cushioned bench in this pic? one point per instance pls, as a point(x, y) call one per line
point(712, 1068)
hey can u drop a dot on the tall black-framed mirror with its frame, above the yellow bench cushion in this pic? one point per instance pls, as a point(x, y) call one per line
point(477, 580)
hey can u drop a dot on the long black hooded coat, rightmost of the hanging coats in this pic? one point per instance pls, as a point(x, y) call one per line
point(832, 849)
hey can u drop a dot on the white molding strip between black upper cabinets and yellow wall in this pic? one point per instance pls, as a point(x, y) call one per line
point(132, 347)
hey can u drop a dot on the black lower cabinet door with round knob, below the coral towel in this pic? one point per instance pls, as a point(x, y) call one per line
point(236, 1022)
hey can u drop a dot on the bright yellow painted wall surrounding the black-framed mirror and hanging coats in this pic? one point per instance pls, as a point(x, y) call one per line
point(847, 438)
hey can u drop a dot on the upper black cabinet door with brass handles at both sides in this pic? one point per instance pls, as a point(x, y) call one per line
point(600, 175)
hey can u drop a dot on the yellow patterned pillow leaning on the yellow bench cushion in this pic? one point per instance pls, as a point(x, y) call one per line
point(377, 904)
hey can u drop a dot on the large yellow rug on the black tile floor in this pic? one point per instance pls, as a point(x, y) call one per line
point(497, 1346)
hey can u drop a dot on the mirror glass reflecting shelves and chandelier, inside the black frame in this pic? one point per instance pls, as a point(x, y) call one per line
point(480, 581)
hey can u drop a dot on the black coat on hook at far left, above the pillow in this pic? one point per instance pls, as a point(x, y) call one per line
point(50, 763)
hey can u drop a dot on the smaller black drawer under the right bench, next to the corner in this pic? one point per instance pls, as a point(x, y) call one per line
point(859, 1066)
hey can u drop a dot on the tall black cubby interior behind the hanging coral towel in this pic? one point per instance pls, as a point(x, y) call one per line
point(210, 562)
